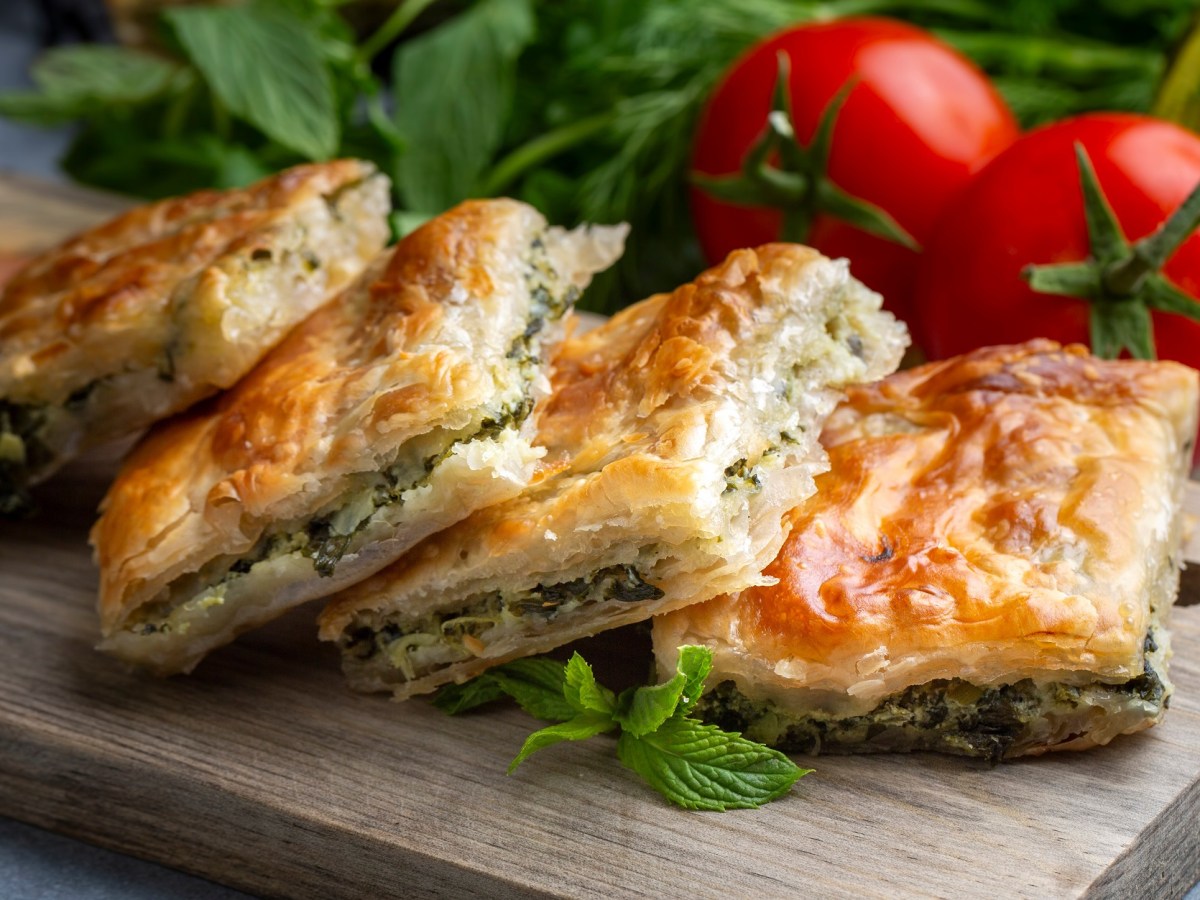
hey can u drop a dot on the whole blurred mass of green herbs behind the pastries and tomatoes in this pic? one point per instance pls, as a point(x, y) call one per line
point(585, 109)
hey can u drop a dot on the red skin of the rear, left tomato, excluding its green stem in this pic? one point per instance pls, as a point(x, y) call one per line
point(919, 123)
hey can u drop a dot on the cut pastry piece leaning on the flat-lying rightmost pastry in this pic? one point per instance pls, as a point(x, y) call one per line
point(677, 436)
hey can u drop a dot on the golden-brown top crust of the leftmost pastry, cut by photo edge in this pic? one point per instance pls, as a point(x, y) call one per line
point(105, 301)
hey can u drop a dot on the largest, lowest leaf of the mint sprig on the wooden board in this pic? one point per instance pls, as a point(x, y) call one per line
point(699, 766)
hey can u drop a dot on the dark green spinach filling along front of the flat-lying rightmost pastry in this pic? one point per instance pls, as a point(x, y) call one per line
point(946, 716)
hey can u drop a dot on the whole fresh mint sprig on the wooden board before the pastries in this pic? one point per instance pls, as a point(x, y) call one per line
point(693, 765)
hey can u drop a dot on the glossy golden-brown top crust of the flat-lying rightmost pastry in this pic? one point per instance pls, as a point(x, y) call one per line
point(989, 518)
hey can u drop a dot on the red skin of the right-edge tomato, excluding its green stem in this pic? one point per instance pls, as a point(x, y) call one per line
point(1028, 208)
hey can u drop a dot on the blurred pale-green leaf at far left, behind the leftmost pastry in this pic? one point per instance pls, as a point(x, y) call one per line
point(74, 81)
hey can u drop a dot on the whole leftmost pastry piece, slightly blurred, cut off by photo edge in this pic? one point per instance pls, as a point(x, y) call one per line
point(169, 304)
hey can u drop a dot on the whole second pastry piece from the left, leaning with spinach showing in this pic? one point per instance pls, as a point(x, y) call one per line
point(389, 415)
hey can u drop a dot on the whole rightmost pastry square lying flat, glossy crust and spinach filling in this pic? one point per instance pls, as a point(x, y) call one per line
point(985, 571)
